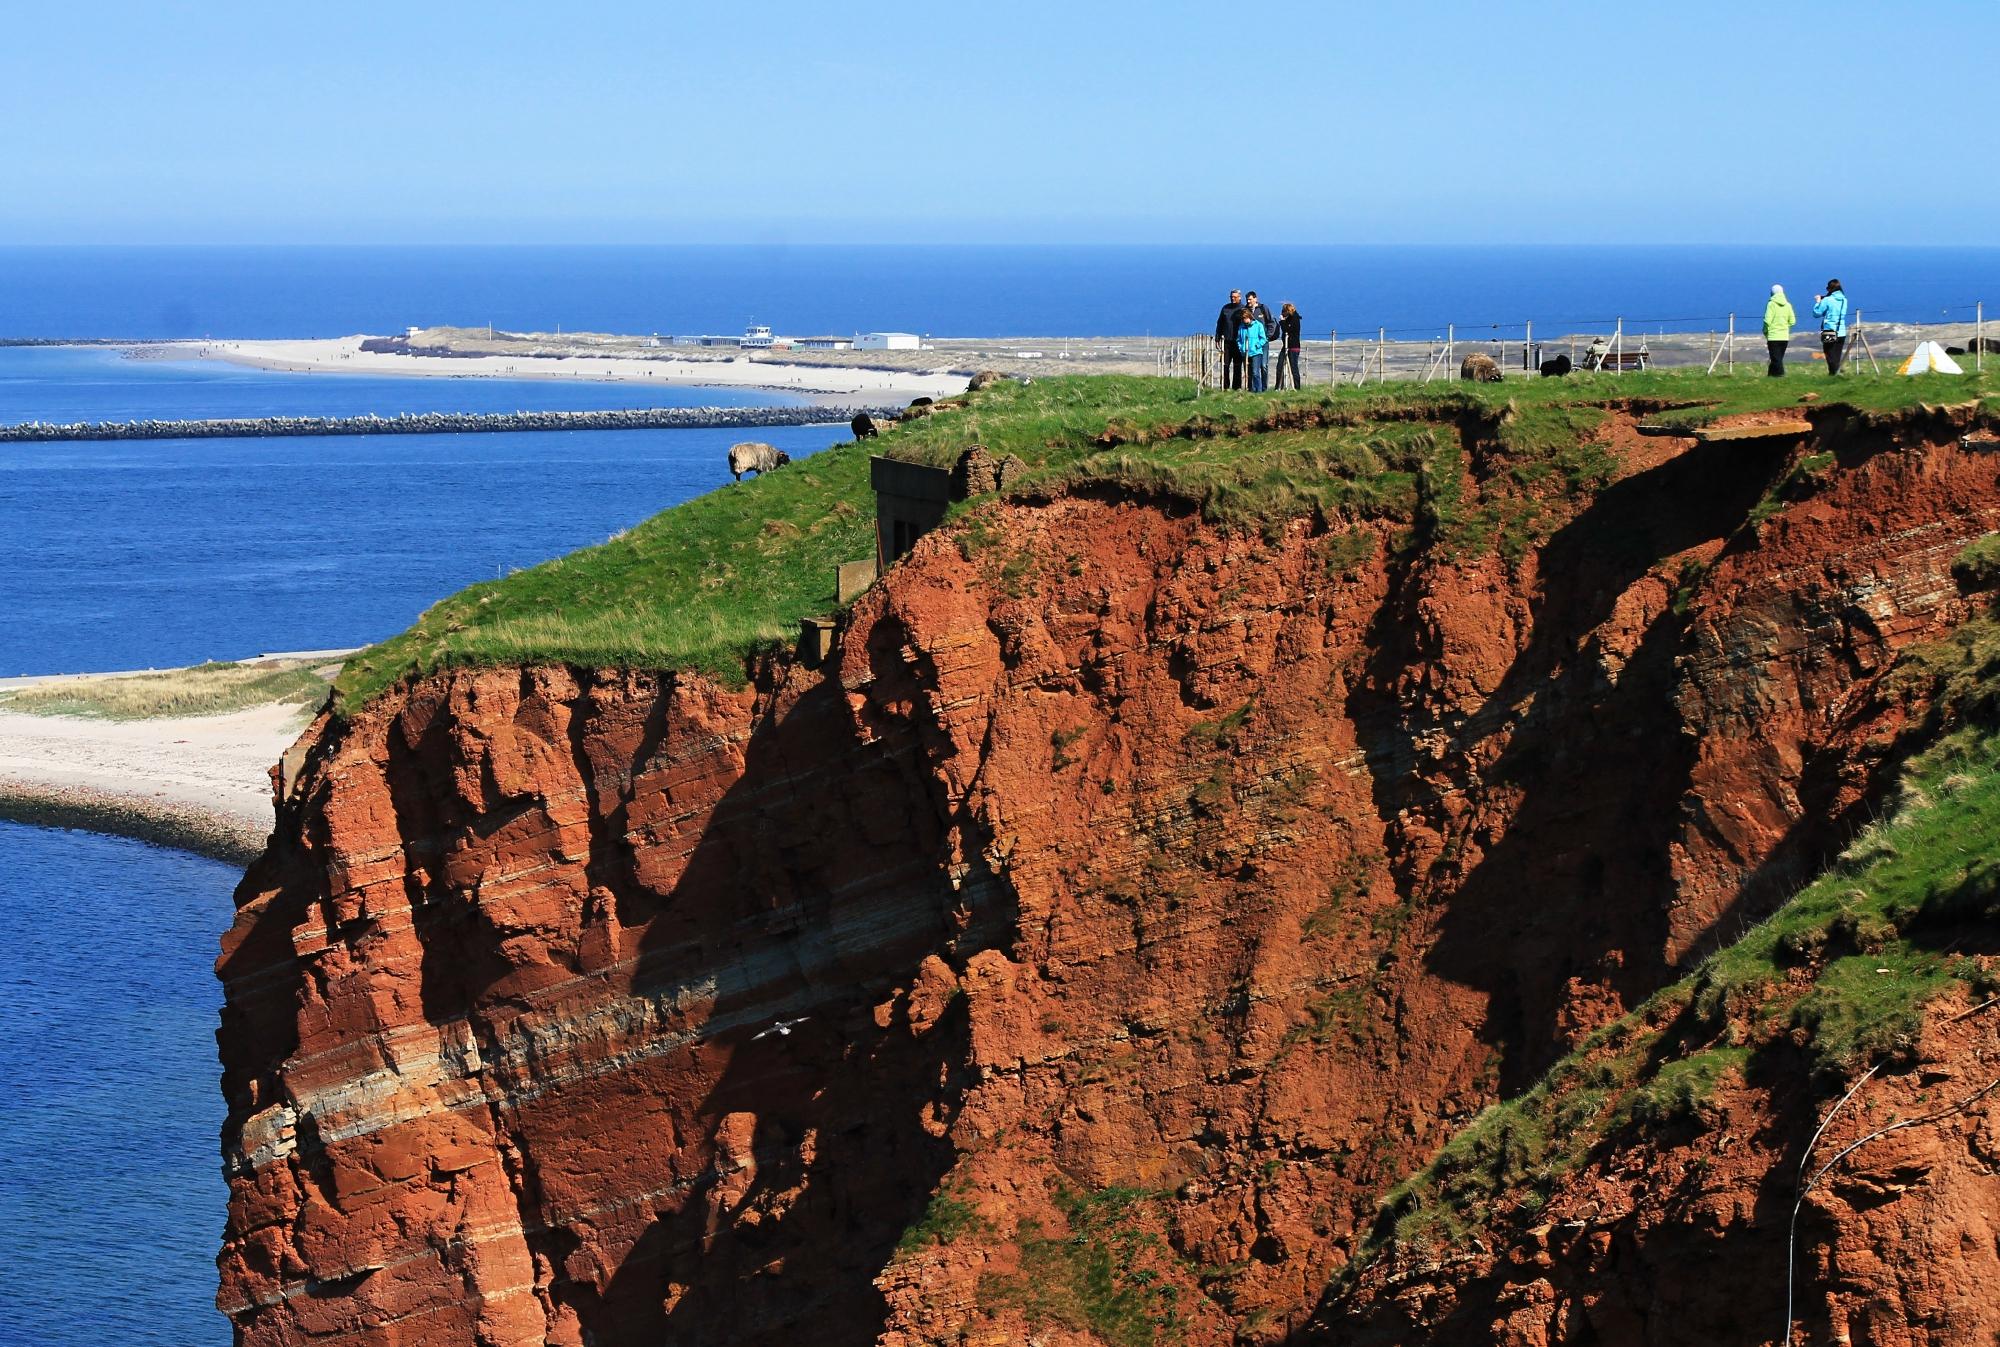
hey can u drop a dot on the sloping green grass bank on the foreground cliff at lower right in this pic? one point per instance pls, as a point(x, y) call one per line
point(1835, 980)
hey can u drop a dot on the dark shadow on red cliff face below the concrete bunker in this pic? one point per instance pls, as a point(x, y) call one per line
point(819, 886)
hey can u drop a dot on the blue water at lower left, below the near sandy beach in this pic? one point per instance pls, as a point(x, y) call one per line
point(111, 1184)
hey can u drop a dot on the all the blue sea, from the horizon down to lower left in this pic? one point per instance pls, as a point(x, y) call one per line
point(173, 553)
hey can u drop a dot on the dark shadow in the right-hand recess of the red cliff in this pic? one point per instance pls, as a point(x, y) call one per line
point(1577, 878)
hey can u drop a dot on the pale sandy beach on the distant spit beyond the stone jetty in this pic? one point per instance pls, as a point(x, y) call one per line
point(819, 383)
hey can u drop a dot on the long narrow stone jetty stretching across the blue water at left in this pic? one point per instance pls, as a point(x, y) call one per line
point(439, 425)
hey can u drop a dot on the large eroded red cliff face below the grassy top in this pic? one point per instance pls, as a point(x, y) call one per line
point(1157, 896)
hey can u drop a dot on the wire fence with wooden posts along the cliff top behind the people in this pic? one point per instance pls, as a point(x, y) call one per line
point(1617, 345)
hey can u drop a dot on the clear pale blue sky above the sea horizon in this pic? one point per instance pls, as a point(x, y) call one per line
point(1027, 123)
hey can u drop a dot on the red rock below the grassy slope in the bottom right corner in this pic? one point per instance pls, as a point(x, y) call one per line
point(1685, 1234)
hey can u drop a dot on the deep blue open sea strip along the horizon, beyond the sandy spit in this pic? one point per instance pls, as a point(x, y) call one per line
point(997, 291)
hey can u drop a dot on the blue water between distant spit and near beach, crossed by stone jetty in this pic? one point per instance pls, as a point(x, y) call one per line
point(169, 553)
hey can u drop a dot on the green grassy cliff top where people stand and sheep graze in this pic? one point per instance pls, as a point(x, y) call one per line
point(705, 585)
